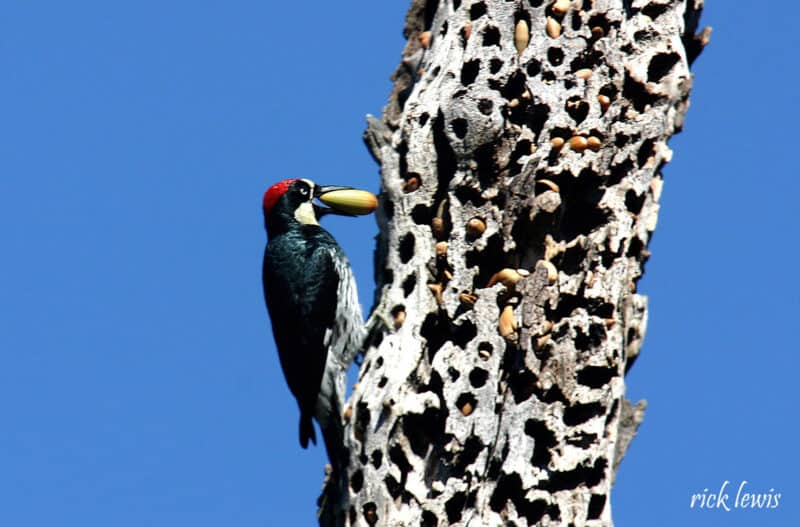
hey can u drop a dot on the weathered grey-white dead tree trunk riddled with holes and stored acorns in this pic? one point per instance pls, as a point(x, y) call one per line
point(521, 155)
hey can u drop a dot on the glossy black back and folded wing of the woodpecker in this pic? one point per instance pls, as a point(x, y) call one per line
point(300, 288)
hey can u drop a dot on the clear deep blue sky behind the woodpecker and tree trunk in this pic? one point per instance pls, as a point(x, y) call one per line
point(139, 383)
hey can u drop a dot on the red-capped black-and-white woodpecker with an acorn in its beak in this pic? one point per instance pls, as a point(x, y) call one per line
point(311, 296)
